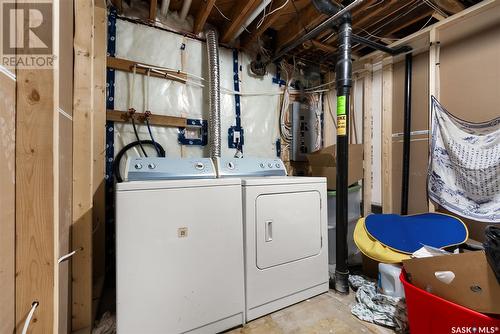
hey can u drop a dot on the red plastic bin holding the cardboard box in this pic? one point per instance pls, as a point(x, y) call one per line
point(429, 314)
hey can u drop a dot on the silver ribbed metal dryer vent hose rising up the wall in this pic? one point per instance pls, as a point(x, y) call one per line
point(214, 134)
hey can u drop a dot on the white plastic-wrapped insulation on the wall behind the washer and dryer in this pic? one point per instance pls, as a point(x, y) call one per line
point(259, 114)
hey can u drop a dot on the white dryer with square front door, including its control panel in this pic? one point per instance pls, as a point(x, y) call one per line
point(285, 234)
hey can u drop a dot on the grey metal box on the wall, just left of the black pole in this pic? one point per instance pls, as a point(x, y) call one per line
point(305, 127)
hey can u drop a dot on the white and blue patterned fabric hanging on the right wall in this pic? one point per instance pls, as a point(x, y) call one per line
point(464, 166)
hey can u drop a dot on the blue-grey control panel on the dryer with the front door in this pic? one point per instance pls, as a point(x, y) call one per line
point(233, 167)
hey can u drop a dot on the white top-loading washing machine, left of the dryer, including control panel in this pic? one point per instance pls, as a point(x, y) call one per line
point(179, 248)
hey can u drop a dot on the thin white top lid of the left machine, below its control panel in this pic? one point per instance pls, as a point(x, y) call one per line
point(171, 184)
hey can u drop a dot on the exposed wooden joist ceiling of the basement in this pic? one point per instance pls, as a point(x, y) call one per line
point(383, 21)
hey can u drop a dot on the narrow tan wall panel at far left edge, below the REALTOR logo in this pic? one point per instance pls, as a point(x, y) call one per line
point(7, 202)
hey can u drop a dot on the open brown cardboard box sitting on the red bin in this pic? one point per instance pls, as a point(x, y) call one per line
point(474, 285)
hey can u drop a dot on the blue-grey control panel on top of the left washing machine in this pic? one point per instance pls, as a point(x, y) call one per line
point(154, 168)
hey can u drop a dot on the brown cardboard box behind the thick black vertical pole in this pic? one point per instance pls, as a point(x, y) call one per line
point(324, 163)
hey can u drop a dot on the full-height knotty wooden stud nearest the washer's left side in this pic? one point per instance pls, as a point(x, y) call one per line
point(89, 121)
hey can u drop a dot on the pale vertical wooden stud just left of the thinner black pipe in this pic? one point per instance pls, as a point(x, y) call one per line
point(387, 136)
